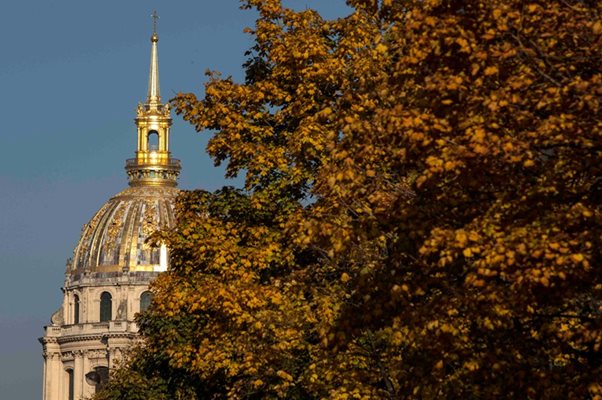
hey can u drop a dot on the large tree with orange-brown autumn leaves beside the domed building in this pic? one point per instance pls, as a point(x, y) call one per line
point(421, 215)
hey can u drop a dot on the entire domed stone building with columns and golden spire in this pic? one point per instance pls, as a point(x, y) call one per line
point(107, 278)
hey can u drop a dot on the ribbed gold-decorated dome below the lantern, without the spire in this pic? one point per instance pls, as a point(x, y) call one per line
point(114, 239)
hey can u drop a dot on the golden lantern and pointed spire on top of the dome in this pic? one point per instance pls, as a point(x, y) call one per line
point(153, 165)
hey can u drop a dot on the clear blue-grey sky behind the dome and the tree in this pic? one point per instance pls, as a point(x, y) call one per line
point(71, 74)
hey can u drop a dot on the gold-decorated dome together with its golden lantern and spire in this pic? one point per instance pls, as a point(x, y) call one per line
point(114, 239)
